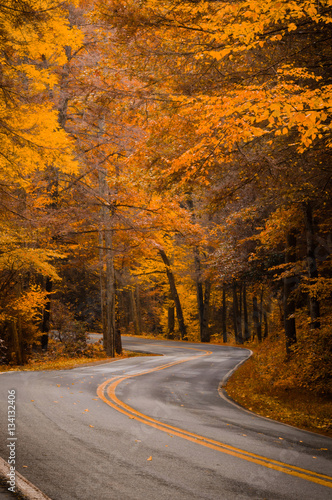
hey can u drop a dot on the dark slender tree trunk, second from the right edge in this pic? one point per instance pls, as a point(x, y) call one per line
point(289, 303)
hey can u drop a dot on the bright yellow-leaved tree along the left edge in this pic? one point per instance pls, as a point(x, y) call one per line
point(32, 43)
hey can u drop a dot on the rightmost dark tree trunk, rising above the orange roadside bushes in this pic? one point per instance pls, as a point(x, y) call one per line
point(314, 305)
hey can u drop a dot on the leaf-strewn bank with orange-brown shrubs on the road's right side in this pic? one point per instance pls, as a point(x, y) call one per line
point(273, 386)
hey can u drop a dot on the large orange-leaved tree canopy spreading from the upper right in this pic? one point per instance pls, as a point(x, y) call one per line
point(244, 106)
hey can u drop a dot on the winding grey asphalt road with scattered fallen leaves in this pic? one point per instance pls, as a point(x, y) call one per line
point(156, 427)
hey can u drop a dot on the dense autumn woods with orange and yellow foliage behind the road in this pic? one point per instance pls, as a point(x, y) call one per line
point(166, 169)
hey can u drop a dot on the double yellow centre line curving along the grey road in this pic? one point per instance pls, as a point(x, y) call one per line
point(109, 387)
